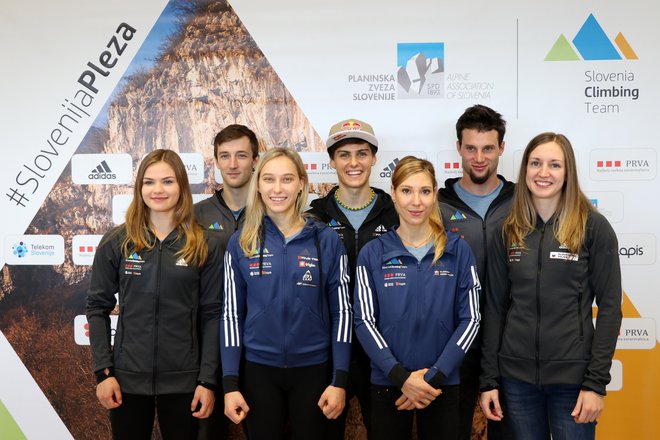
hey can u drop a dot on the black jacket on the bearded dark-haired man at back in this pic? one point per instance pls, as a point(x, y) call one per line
point(460, 219)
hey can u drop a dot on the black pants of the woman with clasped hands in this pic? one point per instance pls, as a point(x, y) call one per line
point(438, 421)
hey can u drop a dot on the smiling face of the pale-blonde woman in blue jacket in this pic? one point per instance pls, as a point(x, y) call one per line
point(279, 186)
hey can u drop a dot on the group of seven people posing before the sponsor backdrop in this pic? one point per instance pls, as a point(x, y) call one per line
point(271, 327)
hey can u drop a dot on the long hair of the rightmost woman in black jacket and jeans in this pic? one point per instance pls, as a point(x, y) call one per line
point(573, 209)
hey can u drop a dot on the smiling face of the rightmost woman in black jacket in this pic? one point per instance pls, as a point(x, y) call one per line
point(546, 173)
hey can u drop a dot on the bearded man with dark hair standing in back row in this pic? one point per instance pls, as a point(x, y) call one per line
point(475, 206)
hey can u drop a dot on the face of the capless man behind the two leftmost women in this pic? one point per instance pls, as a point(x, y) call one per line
point(235, 162)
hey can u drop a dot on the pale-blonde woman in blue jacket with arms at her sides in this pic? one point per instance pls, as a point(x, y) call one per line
point(286, 309)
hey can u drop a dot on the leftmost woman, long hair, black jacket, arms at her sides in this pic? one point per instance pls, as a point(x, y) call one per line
point(168, 275)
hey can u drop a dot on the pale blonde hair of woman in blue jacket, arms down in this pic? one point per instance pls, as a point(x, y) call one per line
point(256, 209)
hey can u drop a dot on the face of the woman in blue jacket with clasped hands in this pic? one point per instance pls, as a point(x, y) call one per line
point(414, 199)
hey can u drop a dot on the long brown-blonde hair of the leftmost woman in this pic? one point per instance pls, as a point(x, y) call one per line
point(137, 226)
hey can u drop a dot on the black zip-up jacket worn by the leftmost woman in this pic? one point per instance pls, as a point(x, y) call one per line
point(167, 336)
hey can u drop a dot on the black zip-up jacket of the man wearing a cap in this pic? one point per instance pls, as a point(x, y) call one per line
point(381, 218)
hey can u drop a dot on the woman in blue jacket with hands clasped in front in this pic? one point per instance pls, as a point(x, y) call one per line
point(416, 312)
